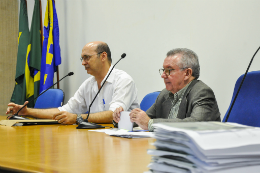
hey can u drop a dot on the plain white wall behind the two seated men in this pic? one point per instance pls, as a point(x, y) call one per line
point(224, 33)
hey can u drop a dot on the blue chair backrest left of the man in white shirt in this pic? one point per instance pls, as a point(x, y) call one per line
point(52, 98)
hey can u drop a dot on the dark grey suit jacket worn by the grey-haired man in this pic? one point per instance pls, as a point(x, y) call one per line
point(198, 104)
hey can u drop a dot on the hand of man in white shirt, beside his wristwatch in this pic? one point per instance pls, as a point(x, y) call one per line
point(64, 117)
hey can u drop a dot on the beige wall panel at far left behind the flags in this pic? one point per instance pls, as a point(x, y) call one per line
point(8, 50)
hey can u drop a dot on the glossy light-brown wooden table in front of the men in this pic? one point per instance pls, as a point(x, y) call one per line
point(63, 148)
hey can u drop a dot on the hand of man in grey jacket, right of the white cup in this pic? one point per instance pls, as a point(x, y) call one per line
point(140, 117)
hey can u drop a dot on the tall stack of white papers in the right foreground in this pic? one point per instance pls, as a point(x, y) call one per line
point(206, 147)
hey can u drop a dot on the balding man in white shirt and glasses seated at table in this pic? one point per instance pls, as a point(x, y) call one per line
point(119, 91)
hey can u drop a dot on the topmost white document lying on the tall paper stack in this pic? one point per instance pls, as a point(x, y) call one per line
point(212, 135)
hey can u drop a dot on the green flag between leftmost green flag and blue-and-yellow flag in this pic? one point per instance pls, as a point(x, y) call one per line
point(36, 49)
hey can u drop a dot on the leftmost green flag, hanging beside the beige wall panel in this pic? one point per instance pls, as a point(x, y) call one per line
point(18, 95)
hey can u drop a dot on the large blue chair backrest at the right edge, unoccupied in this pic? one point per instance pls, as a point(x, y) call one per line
point(246, 109)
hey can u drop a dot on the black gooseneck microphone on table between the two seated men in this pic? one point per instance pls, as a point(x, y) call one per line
point(87, 125)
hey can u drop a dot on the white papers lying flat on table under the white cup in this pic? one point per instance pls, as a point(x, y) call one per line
point(125, 134)
